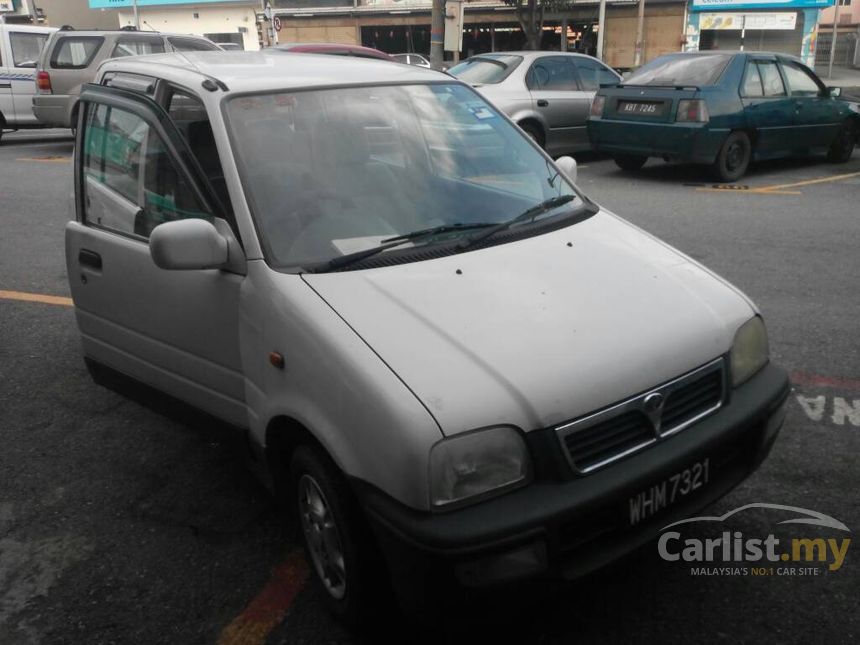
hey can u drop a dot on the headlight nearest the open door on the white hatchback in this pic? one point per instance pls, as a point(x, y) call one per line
point(477, 463)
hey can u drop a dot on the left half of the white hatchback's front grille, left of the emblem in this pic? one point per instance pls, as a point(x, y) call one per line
point(608, 439)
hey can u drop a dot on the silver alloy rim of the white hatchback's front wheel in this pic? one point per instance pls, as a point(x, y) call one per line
point(322, 537)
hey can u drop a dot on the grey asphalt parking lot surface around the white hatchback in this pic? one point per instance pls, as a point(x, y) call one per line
point(119, 524)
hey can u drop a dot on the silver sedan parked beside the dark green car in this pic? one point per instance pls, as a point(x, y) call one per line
point(548, 94)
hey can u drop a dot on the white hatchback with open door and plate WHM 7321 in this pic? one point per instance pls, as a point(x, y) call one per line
point(458, 369)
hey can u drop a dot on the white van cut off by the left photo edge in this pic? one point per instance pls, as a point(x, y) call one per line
point(20, 47)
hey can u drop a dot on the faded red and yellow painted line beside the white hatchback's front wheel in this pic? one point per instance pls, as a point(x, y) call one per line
point(267, 610)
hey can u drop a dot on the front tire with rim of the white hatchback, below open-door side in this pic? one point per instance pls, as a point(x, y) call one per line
point(337, 540)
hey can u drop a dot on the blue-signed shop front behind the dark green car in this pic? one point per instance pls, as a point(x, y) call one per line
point(785, 26)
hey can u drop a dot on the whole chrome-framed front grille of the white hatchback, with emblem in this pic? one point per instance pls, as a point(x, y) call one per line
point(623, 429)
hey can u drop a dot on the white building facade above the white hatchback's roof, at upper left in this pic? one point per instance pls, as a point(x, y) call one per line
point(222, 21)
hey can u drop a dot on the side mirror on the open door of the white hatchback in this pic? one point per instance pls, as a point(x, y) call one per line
point(188, 244)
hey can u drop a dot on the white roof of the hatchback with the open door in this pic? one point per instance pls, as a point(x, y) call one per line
point(269, 70)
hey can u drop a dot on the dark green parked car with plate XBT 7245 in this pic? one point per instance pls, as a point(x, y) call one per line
point(722, 109)
